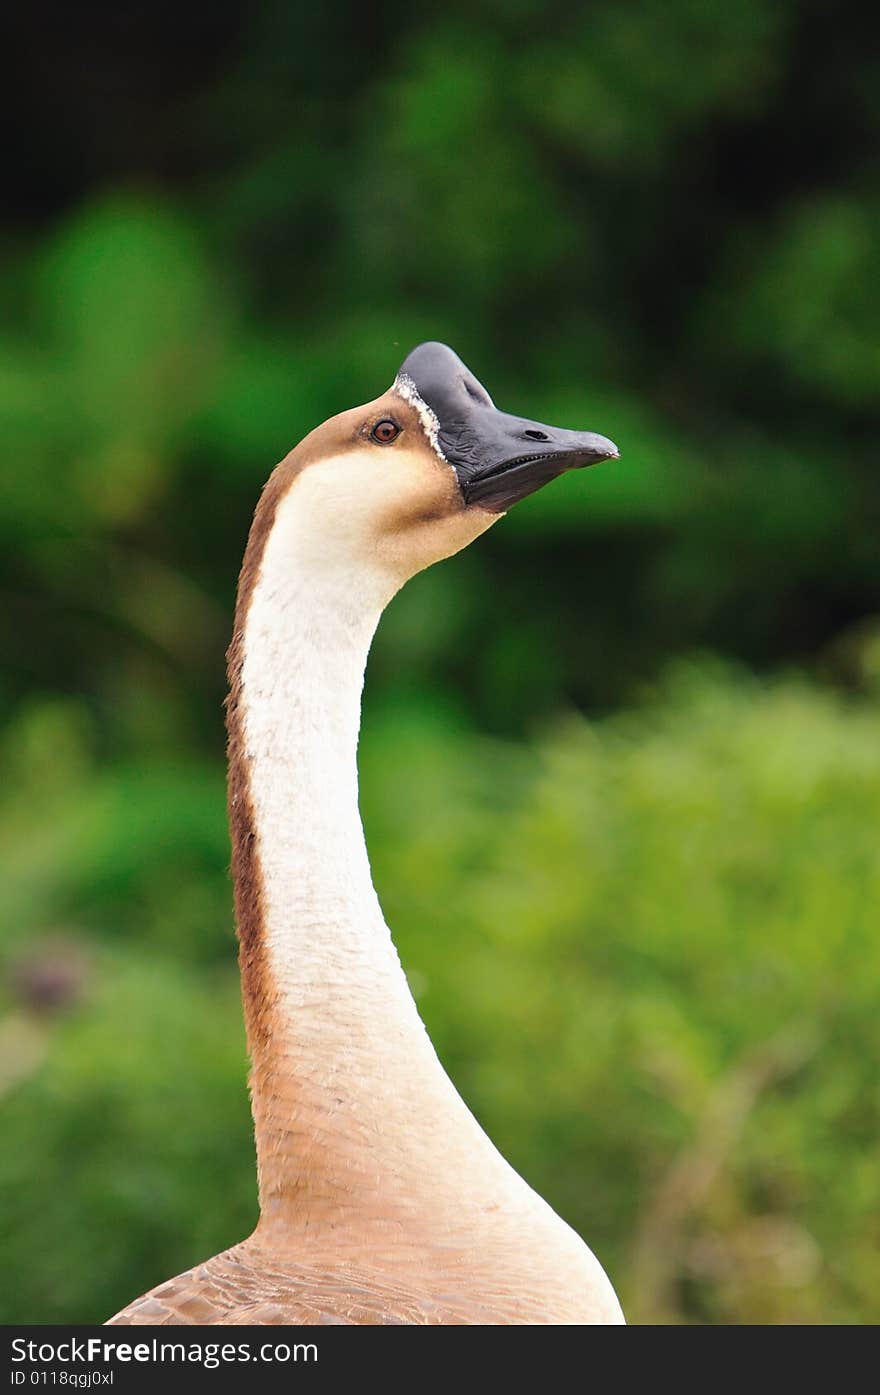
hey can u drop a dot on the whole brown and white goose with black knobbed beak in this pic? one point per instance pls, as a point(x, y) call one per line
point(381, 1199)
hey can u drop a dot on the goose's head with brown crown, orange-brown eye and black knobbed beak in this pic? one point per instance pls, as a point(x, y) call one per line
point(420, 472)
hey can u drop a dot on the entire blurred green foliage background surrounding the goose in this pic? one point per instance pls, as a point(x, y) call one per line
point(621, 767)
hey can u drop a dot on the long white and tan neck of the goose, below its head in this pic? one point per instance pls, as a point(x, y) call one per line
point(347, 1087)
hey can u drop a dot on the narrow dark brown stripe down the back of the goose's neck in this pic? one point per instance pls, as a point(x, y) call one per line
point(248, 875)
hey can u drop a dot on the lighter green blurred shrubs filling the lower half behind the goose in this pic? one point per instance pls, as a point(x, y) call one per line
point(645, 949)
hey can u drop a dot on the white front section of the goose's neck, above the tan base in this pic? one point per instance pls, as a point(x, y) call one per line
point(306, 644)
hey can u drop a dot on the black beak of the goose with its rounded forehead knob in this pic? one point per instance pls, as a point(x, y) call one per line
point(499, 458)
